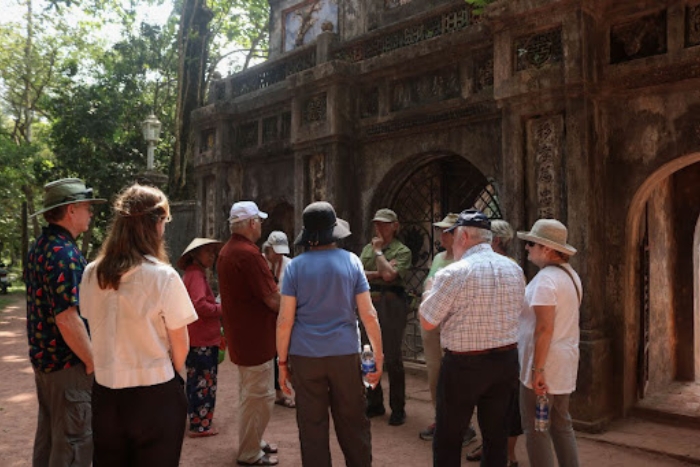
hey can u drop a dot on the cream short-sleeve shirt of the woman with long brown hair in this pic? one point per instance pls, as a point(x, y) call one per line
point(128, 327)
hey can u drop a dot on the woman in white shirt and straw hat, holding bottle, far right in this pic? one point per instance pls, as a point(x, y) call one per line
point(548, 343)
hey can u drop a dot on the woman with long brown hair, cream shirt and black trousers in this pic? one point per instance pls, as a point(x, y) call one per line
point(138, 310)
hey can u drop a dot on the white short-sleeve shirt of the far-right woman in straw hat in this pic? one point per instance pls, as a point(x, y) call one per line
point(552, 287)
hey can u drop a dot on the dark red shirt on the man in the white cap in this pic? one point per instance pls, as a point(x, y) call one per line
point(244, 282)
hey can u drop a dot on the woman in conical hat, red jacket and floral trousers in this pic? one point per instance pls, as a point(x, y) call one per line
point(205, 336)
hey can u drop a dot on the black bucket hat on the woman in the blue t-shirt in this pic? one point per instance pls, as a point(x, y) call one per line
point(321, 226)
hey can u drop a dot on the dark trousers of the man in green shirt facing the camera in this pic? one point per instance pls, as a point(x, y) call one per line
point(391, 311)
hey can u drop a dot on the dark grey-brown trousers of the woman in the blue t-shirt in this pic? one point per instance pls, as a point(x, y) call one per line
point(334, 382)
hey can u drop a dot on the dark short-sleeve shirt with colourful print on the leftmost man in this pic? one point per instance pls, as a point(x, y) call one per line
point(54, 269)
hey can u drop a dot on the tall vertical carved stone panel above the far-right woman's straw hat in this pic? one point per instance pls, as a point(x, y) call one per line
point(545, 137)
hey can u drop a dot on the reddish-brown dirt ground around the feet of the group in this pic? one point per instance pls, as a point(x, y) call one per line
point(392, 446)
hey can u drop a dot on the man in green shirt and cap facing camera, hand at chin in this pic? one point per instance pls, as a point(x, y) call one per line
point(386, 261)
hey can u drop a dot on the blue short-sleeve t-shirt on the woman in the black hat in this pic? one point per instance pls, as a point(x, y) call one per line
point(325, 284)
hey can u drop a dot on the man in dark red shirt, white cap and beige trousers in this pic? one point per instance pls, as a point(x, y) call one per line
point(250, 302)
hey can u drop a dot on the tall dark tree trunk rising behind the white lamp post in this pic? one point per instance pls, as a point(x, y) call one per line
point(193, 40)
